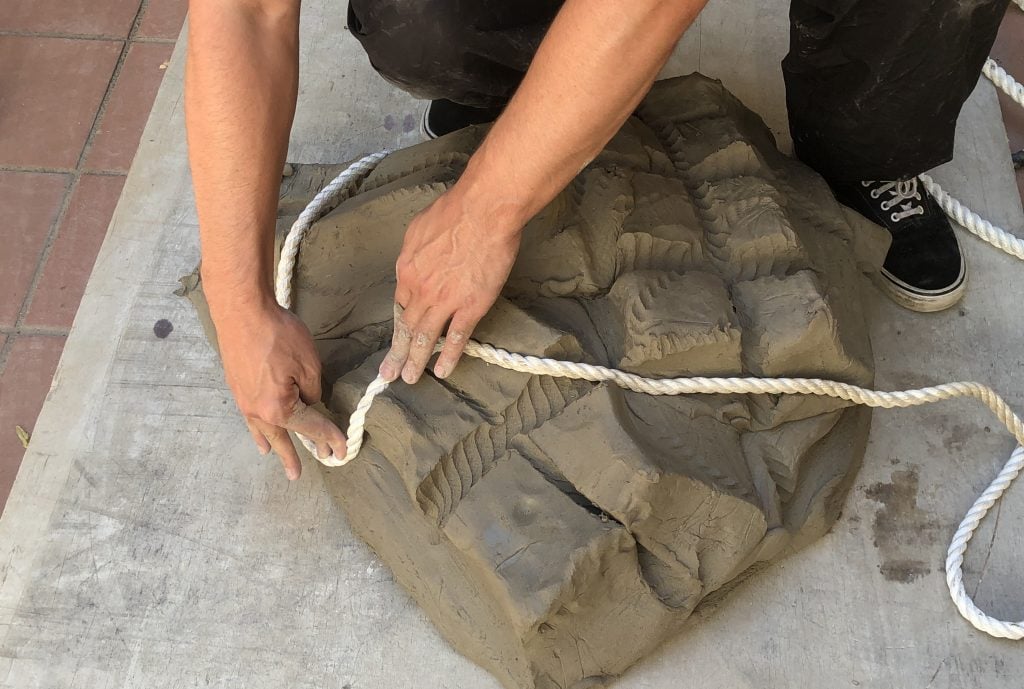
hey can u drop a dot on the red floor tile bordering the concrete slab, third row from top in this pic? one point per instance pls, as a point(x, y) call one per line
point(70, 263)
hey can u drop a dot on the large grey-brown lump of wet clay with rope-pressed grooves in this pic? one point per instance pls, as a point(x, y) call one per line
point(557, 531)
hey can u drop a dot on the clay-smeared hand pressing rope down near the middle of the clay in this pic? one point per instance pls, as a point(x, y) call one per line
point(452, 268)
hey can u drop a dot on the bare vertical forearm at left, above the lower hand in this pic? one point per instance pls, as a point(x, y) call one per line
point(241, 84)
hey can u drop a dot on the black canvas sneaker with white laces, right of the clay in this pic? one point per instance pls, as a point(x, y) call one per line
point(924, 270)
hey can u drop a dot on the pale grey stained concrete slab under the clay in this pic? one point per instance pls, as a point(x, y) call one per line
point(147, 545)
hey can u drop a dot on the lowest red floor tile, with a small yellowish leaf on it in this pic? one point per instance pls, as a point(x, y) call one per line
point(24, 385)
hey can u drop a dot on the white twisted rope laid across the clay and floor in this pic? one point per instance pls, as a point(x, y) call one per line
point(345, 185)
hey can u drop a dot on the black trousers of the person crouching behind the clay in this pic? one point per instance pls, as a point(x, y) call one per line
point(874, 88)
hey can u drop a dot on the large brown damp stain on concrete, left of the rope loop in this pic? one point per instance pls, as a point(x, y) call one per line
point(904, 533)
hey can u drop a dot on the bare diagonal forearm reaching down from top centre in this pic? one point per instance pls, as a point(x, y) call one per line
point(594, 67)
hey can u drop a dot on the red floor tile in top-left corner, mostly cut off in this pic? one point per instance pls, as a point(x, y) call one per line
point(92, 18)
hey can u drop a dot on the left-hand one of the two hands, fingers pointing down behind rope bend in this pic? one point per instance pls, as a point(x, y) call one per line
point(274, 371)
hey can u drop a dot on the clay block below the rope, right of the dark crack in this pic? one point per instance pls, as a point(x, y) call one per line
point(664, 489)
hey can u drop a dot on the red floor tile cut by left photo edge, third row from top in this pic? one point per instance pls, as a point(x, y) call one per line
point(30, 203)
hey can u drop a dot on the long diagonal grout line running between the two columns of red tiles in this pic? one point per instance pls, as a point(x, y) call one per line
point(76, 176)
